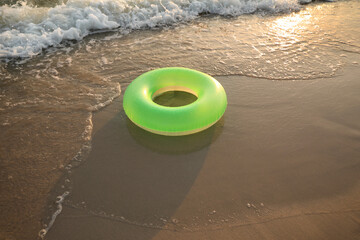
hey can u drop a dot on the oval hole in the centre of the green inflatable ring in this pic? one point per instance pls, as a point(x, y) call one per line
point(174, 97)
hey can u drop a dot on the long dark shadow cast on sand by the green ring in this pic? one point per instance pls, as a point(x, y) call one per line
point(134, 177)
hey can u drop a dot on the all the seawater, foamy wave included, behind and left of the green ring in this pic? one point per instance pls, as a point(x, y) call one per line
point(47, 100)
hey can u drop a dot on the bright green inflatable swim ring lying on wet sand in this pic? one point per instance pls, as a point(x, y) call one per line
point(174, 121)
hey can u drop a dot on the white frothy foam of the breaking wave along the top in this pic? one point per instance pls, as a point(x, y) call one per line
point(26, 30)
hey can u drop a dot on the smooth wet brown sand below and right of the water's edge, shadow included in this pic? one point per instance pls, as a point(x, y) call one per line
point(283, 163)
